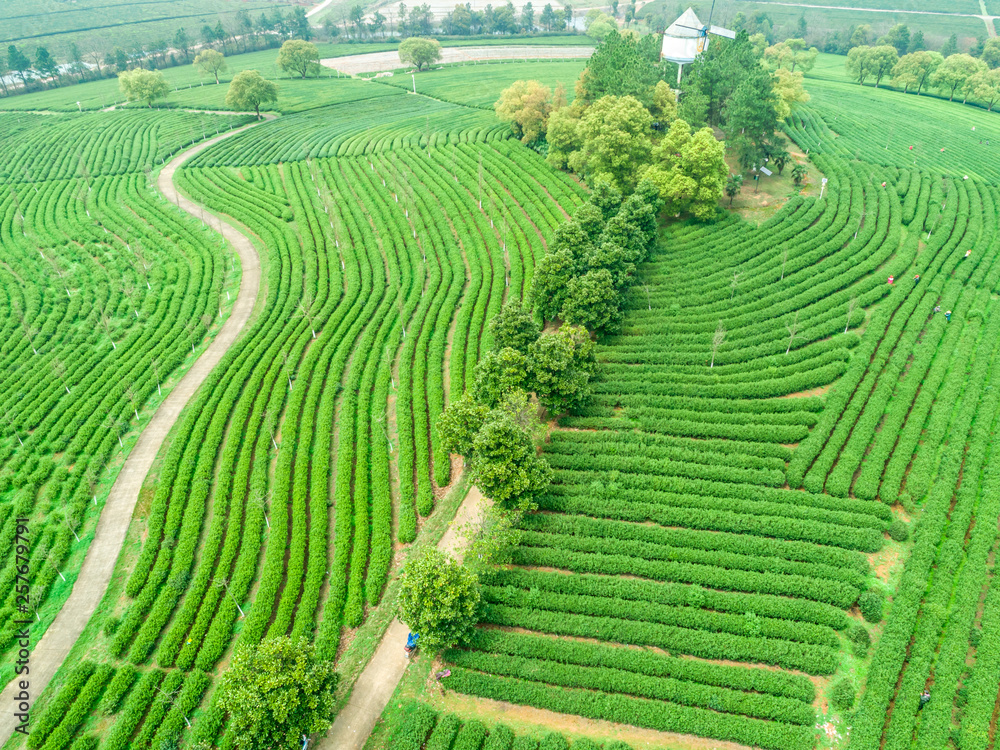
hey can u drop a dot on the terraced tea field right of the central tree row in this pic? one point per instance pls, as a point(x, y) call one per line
point(721, 506)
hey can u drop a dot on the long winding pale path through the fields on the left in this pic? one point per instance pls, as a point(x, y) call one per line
point(99, 563)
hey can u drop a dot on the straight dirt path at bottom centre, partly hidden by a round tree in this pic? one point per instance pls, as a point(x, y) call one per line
point(377, 683)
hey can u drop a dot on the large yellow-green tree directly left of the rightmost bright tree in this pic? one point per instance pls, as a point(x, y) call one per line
point(615, 135)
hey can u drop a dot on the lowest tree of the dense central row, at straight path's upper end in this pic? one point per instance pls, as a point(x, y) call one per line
point(505, 465)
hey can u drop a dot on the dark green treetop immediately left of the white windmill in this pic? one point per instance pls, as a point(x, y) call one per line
point(623, 65)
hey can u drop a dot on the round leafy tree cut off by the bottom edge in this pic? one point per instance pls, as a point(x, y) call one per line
point(277, 691)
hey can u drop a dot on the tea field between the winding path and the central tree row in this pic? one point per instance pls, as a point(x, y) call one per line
point(310, 455)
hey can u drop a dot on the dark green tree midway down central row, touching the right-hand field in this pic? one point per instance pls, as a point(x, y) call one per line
point(562, 364)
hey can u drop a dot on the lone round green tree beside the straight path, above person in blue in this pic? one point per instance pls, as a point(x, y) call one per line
point(438, 599)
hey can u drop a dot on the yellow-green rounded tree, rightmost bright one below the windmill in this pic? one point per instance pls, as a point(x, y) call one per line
point(690, 171)
